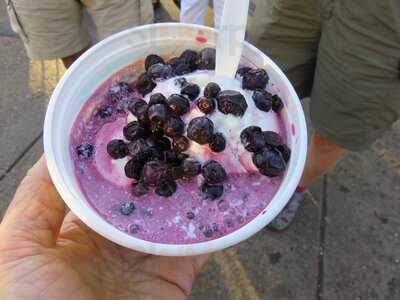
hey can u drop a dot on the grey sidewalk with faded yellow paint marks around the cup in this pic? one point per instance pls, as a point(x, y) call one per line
point(345, 244)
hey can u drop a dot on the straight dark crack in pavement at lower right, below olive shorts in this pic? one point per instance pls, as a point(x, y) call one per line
point(322, 234)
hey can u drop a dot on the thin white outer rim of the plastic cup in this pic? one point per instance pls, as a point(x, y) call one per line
point(107, 230)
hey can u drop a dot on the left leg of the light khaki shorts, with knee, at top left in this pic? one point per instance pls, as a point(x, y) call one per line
point(49, 29)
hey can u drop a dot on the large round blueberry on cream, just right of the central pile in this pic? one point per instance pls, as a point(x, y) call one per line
point(200, 130)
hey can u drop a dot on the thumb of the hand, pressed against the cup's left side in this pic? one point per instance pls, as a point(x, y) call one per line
point(37, 210)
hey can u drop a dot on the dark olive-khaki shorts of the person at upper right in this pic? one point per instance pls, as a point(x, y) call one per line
point(345, 54)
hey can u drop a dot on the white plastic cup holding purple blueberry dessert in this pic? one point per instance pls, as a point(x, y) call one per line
point(120, 50)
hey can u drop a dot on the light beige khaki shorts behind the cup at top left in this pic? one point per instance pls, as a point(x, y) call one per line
point(53, 29)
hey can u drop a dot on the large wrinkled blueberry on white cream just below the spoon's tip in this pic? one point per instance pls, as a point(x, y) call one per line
point(232, 102)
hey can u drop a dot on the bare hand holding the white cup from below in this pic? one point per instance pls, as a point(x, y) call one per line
point(47, 255)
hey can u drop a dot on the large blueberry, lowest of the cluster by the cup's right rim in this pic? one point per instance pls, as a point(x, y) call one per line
point(269, 162)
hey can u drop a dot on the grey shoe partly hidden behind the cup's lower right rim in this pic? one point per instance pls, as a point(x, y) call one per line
point(287, 215)
